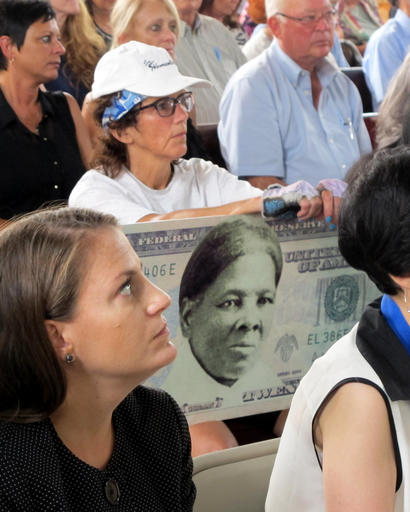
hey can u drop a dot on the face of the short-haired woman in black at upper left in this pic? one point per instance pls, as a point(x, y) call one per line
point(40, 55)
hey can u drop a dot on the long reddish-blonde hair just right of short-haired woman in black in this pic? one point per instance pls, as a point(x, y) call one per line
point(84, 46)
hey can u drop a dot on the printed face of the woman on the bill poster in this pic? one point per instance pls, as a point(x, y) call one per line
point(227, 326)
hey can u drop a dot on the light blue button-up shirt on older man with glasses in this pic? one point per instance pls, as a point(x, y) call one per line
point(270, 127)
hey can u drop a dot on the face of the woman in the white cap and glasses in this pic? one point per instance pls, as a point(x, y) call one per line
point(159, 137)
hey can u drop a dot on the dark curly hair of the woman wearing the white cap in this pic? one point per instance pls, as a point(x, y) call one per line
point(111, 154)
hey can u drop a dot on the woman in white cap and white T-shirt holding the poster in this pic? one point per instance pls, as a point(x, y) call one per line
point(142, 102)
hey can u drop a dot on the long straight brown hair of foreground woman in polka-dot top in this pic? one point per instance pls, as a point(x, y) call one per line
point(43, 259)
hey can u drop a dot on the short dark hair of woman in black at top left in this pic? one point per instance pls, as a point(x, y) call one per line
point(16, 16)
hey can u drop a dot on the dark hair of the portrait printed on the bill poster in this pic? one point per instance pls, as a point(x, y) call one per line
point(223, 244)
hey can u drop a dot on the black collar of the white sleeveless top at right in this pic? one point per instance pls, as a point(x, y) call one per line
point(384, 351)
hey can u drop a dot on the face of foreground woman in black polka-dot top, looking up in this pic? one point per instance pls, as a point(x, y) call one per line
point(118, 331)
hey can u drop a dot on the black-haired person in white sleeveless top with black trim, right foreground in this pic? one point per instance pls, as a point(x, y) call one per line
point(346, 440)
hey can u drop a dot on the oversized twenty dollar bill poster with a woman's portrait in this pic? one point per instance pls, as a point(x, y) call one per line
point(254, 303)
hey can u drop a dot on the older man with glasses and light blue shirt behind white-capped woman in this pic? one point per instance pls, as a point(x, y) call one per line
point(289, 114)
